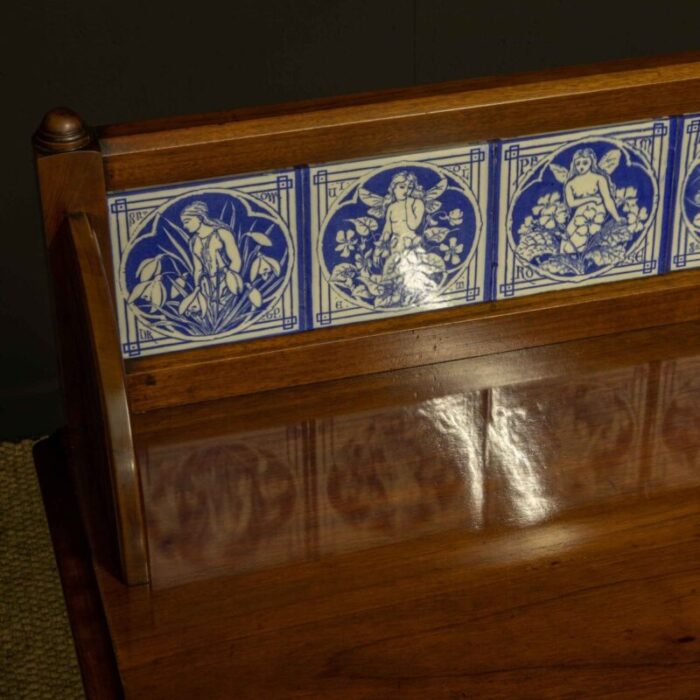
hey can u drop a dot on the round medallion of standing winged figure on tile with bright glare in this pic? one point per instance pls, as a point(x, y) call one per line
point(399, 237)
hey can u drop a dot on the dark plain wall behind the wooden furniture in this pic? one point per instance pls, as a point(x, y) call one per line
point(125, 60)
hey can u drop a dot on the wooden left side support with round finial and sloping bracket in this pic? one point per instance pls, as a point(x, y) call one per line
point(71, 179)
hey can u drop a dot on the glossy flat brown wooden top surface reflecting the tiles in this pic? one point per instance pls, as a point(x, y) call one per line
point(525, 525)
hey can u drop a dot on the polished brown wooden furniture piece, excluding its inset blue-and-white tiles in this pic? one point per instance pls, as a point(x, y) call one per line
point(485, 501)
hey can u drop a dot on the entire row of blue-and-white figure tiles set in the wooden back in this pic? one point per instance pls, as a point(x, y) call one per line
point(238, 258)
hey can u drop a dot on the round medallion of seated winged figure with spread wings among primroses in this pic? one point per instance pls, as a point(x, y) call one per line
point(584, 210)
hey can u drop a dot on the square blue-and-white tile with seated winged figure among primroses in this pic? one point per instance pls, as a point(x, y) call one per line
point(581, 208)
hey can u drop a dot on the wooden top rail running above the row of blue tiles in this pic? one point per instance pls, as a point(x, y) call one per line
point(393, 122)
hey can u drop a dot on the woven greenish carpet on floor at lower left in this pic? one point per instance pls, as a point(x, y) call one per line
point(37, 657)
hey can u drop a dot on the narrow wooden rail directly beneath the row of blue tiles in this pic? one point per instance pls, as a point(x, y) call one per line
point(411, 341)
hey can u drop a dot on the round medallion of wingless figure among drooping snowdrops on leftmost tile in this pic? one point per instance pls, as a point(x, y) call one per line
point(206, 264)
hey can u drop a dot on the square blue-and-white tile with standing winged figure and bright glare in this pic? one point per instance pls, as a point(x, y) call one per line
point(392, 236)
